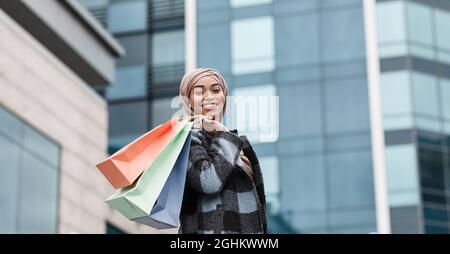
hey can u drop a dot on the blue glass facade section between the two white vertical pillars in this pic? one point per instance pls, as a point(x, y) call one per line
point(312, 55)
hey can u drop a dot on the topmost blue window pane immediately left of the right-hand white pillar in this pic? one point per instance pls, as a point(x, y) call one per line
point(342, 30)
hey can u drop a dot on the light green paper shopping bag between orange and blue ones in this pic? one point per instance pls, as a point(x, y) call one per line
point(138, 199)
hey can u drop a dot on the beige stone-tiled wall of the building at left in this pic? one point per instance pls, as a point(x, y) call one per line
point(38, 89)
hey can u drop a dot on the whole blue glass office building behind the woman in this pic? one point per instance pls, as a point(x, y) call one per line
point(318, 159)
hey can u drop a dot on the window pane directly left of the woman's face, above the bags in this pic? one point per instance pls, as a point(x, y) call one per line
point(162, 110)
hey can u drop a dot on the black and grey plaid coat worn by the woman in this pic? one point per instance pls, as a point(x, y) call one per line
point(219, 196)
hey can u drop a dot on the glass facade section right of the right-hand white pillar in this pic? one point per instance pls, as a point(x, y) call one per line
point(414, 48)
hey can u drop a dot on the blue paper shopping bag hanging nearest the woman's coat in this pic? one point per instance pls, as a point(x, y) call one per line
point(166, 212)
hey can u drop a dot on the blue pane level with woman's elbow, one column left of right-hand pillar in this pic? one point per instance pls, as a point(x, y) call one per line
point(303, 183)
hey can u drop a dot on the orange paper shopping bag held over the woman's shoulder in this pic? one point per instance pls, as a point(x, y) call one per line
point(126, 165)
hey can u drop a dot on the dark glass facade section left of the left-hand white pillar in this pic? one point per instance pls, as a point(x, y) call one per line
point(147, 78)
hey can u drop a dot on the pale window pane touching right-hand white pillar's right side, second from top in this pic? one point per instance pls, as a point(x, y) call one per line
point(395, 92)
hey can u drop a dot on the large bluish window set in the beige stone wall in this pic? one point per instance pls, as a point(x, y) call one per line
point(28, 178)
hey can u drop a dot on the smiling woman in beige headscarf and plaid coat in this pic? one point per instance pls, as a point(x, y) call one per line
point(224, 186)
